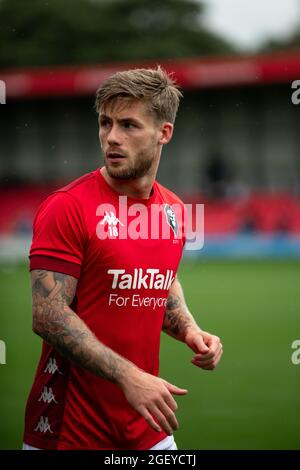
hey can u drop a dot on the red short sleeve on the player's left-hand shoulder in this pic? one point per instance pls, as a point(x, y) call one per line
point(58, 236)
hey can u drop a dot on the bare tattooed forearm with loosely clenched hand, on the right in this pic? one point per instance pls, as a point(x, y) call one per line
point(180, 324)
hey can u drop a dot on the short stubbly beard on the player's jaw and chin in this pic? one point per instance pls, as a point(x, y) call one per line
point(133, 170)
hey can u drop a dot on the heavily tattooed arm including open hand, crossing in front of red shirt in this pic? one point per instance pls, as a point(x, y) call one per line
point(61, 327)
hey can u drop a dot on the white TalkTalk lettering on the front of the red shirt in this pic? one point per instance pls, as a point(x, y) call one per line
point(150, 278)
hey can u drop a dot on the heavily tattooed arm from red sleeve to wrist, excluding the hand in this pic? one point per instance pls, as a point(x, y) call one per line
point(60, 326)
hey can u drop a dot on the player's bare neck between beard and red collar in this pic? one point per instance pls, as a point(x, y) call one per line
point(139, 188)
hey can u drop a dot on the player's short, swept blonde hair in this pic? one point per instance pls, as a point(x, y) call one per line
point(153, 86)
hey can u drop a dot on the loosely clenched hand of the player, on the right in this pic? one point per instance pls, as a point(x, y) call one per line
point(208, 348)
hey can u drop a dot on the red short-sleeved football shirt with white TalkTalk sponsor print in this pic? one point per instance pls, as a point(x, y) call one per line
point(125, 265)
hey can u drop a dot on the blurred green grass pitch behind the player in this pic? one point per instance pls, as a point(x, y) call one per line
point(251, 401)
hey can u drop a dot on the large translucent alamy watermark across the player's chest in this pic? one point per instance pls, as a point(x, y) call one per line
point(154, 222)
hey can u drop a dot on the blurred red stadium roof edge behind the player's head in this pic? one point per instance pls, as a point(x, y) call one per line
point(190, 74)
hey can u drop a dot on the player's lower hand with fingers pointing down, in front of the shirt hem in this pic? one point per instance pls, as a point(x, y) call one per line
point(151, 397)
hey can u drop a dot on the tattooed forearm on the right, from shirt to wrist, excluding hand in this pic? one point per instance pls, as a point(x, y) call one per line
point(178, 320)
